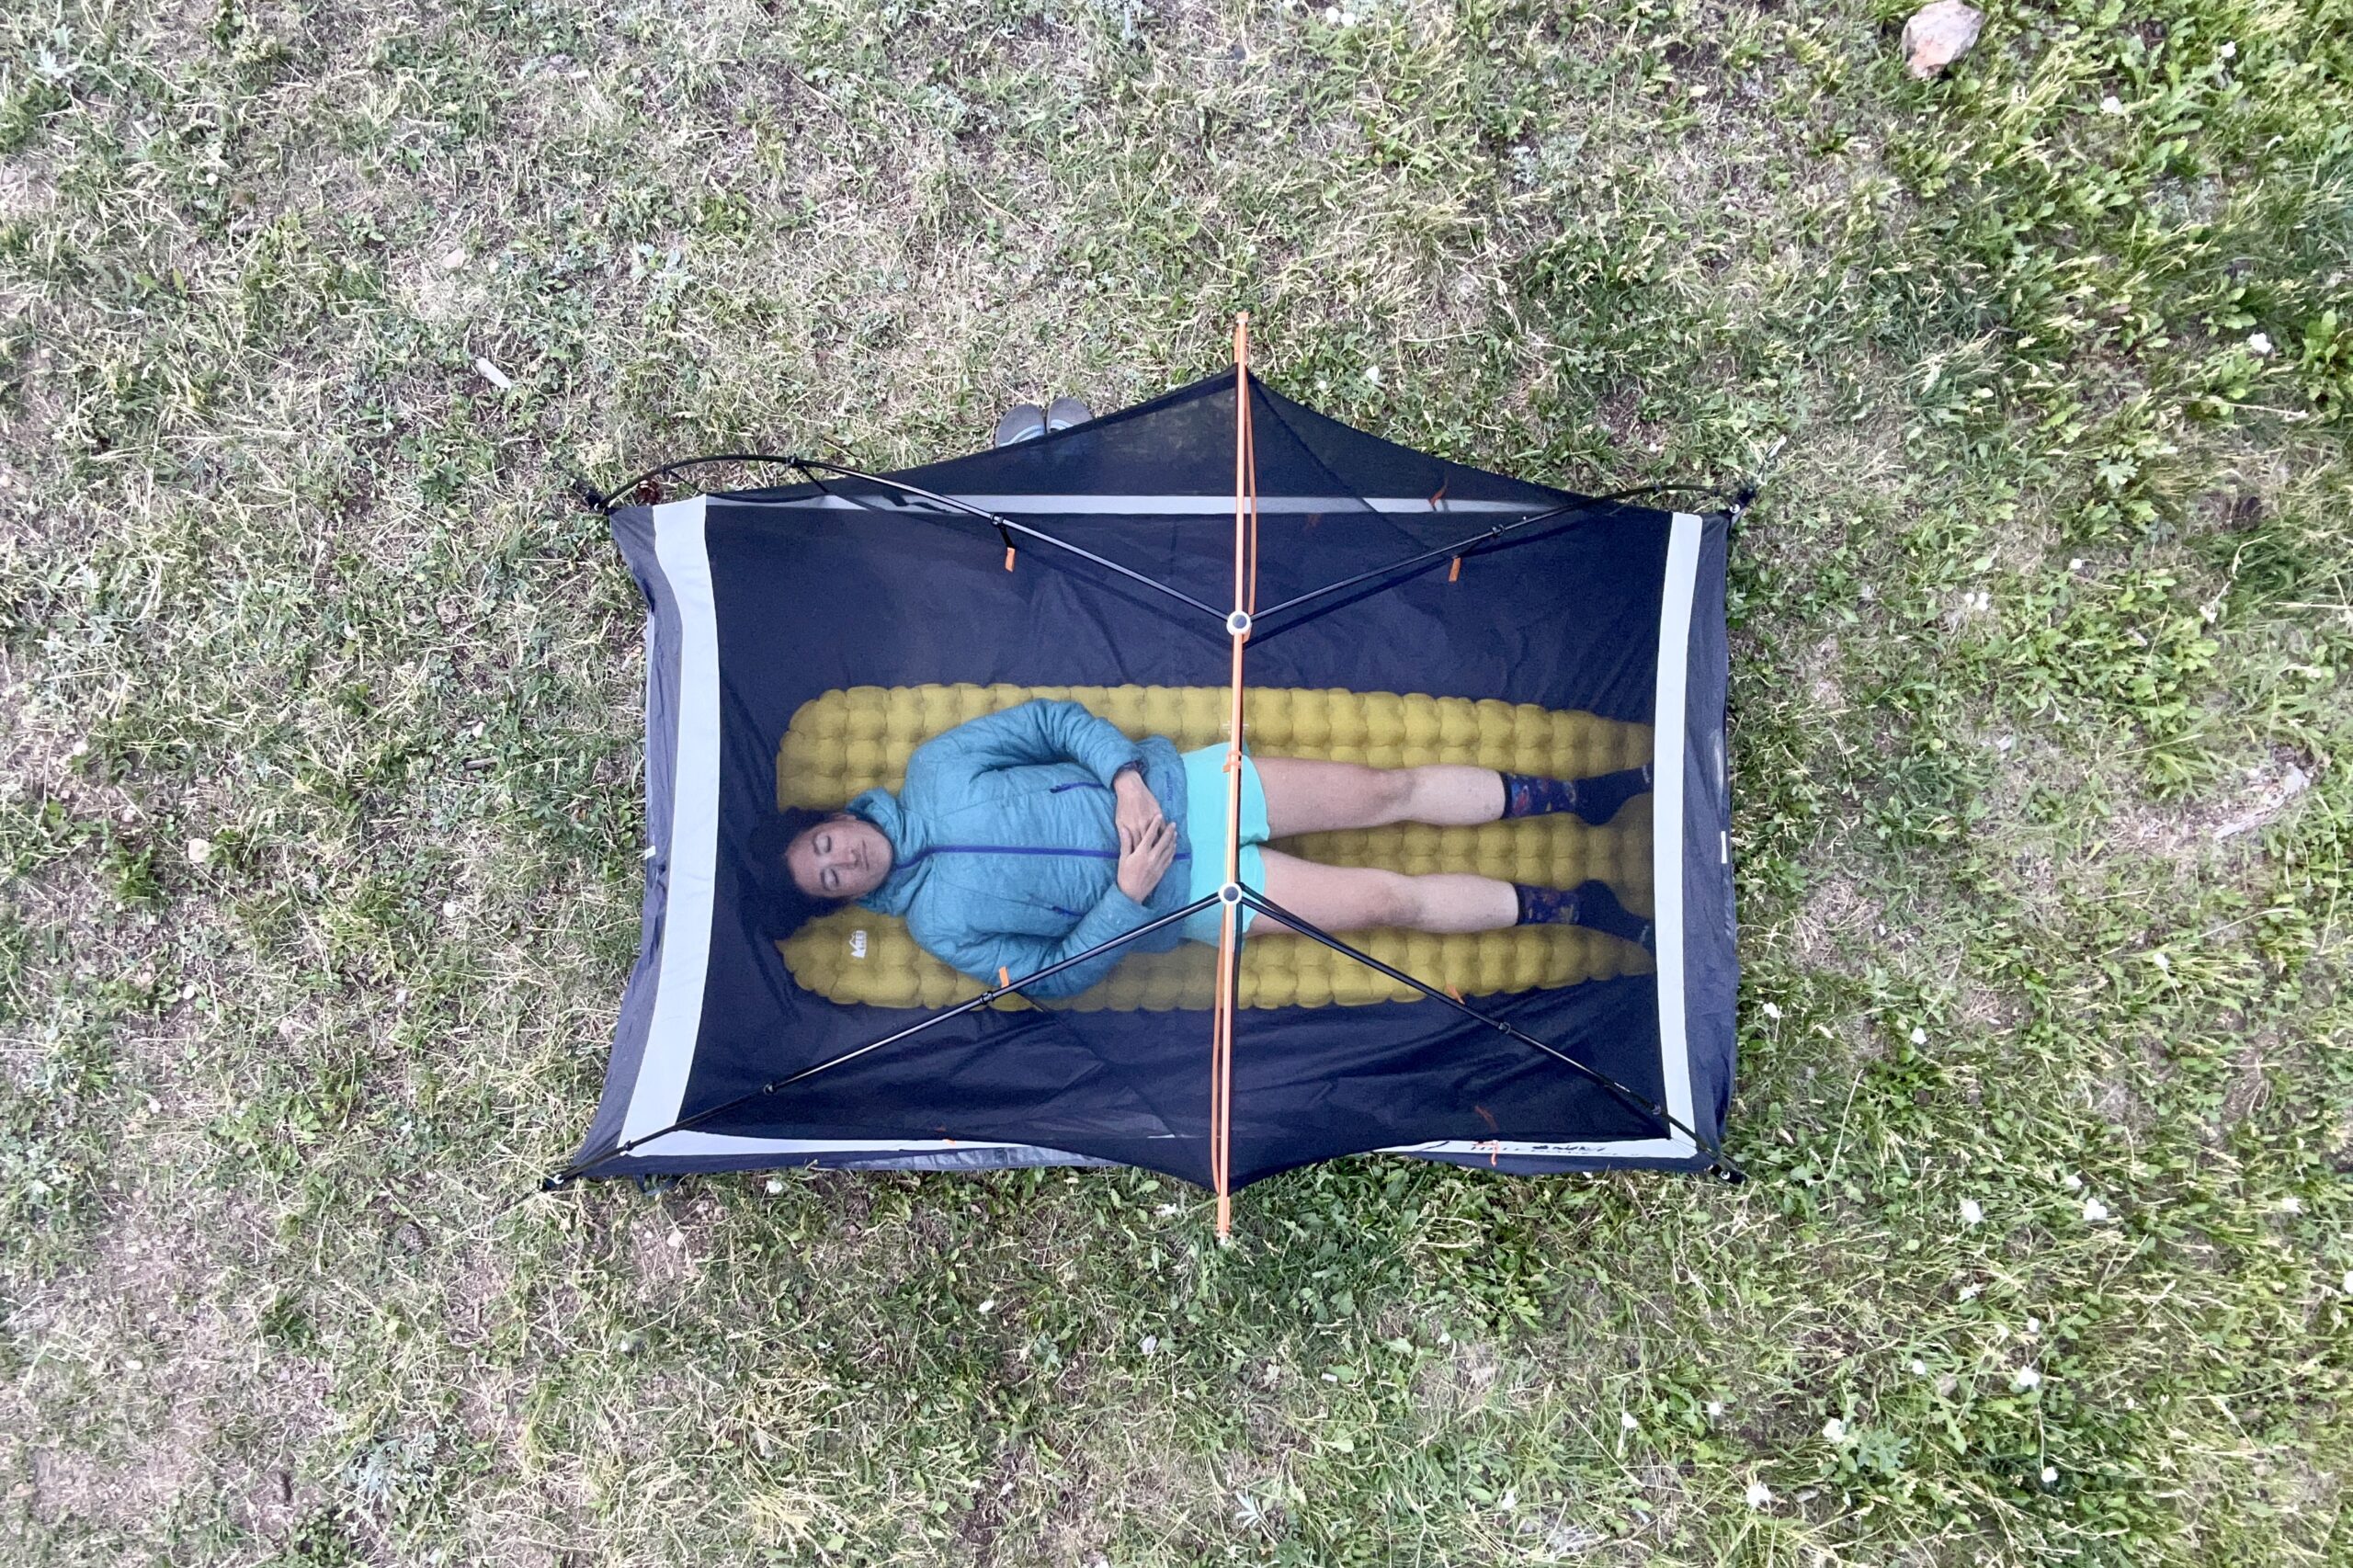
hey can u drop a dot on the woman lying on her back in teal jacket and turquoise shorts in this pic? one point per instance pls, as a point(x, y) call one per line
point(1041, 832)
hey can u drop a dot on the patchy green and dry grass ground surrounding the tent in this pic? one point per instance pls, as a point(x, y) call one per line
point(321, 806)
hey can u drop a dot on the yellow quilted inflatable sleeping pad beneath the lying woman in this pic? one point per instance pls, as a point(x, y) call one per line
point(853, 740)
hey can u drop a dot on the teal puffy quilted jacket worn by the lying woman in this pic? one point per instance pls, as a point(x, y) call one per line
point(1006, 851)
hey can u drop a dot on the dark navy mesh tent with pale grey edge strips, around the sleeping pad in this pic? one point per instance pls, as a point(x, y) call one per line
point(768, 602)
